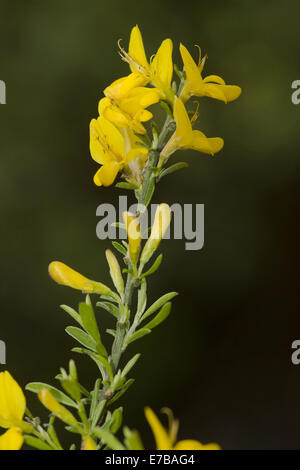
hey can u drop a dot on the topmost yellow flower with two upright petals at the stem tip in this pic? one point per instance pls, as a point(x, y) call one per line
point(160, 69)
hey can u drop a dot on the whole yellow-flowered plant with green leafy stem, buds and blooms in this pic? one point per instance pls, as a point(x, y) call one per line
point(121, 141)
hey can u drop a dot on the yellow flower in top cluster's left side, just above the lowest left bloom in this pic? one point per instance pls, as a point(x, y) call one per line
point(130, 111)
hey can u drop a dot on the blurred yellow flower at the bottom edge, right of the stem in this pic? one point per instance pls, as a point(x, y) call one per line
point(165, 439)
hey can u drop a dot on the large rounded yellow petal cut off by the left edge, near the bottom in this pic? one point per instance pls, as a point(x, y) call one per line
point(12, 401)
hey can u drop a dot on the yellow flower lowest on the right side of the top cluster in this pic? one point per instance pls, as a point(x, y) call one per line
point(186, 138)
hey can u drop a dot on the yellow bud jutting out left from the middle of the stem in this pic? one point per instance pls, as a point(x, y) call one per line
point(66, 276)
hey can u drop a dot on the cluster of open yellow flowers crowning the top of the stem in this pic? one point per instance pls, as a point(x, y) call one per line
point(119, 140)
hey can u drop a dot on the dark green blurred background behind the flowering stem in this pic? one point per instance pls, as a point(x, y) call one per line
point(222, 360)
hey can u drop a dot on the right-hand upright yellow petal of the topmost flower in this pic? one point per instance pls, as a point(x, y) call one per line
point(162, 64)
